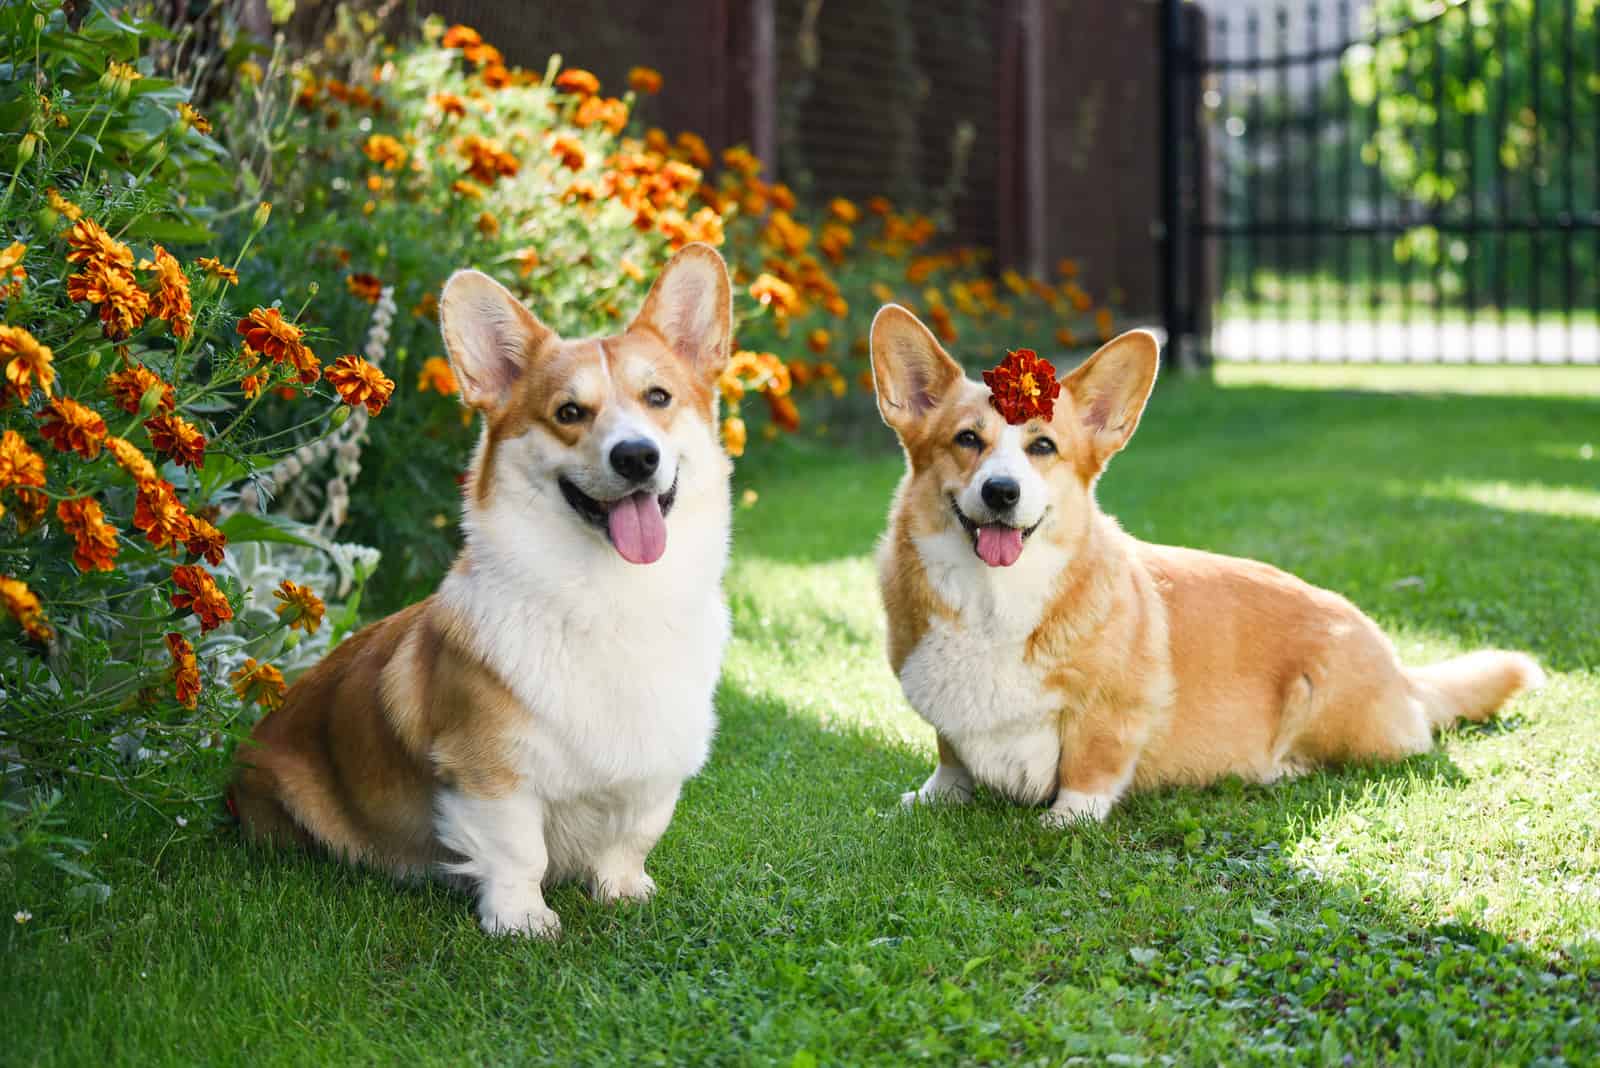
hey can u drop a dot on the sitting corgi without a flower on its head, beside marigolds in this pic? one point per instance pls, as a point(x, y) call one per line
point(534, 720)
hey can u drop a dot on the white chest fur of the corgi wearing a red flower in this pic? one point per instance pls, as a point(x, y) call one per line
point(970, 680)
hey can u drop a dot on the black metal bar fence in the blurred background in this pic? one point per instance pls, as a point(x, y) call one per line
point(1398, 181)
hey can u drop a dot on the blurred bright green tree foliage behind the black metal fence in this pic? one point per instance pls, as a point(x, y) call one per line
point(1513, 87)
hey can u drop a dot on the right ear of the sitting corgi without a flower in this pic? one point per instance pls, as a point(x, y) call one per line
point(692, 309)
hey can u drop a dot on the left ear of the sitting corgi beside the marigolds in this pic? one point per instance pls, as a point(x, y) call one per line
point(490, 337)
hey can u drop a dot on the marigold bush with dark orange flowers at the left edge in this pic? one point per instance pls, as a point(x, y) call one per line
point(134, 634)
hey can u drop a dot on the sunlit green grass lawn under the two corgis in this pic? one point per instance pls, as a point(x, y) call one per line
point(1446, 911)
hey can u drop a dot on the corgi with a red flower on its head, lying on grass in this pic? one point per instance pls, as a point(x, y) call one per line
point(1062, 660)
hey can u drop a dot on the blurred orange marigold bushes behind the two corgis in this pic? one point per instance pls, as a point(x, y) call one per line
point(396, 164)
